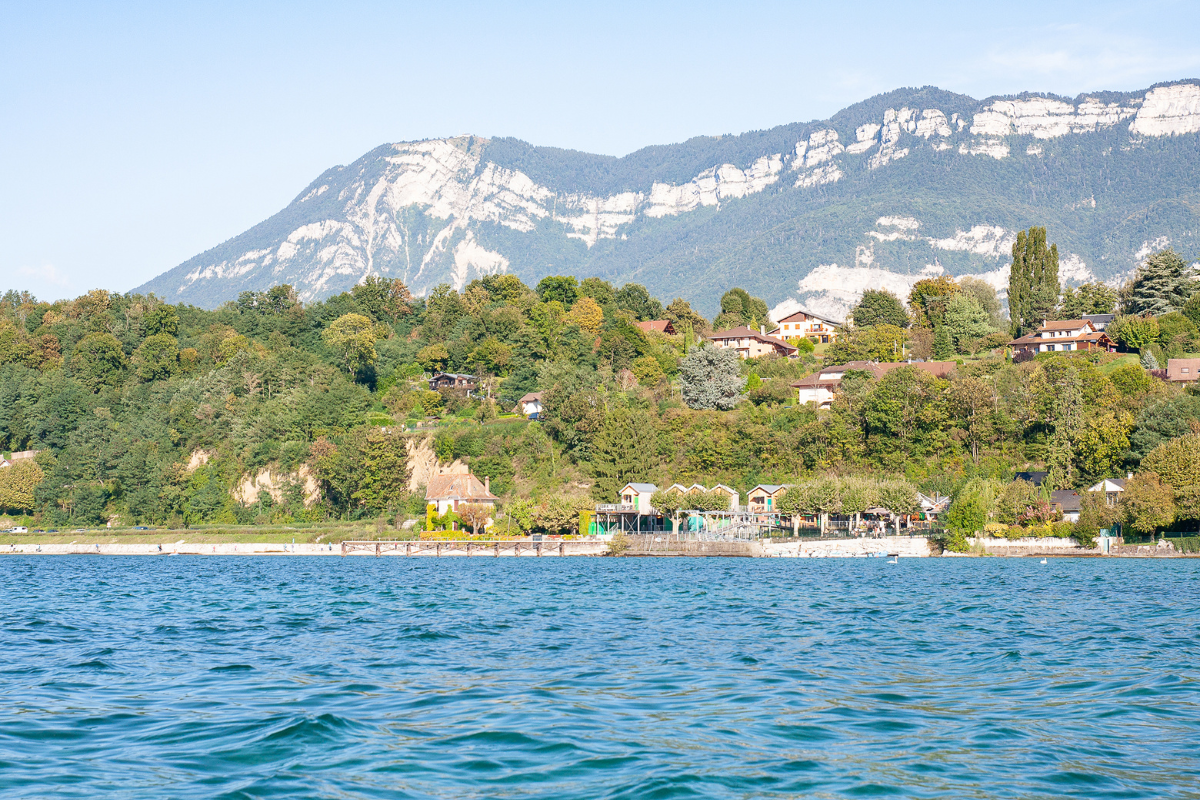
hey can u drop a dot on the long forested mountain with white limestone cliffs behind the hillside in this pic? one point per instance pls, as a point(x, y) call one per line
point(909, 184)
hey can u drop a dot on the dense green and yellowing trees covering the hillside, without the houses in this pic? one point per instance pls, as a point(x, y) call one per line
point(158, 414)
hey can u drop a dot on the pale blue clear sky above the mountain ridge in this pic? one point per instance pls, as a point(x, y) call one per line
point(137, 135)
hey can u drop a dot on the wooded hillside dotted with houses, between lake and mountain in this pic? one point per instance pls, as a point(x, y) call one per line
point(579, 407)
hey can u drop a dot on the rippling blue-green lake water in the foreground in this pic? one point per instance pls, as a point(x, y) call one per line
point(598, 678)
